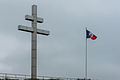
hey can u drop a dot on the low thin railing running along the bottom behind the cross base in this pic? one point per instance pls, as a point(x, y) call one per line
point(4, 76)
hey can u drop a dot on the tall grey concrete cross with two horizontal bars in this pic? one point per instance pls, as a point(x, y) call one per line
point(34, 32)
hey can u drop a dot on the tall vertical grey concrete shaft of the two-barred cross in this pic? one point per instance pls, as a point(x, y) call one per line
point(34, 43)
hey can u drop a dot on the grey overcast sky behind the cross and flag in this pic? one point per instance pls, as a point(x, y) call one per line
point(62, 53)
